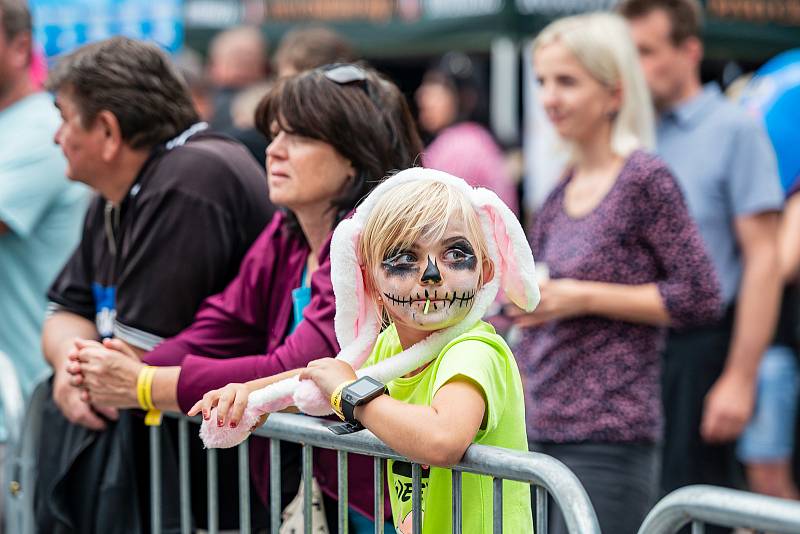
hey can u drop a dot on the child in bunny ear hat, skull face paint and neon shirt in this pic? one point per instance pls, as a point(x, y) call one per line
point(414, 271)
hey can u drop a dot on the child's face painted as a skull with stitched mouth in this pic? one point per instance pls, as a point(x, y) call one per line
point(430, 286)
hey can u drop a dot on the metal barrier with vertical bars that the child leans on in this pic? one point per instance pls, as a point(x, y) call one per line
point(547, 474)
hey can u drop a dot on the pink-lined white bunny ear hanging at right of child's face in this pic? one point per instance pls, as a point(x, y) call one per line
point(512, 257)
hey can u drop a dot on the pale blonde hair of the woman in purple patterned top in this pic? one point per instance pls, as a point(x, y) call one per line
point(602, 43)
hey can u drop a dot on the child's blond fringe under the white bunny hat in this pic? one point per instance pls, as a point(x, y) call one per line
point(417, 210)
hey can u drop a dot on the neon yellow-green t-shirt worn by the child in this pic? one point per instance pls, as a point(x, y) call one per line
point(483, 357)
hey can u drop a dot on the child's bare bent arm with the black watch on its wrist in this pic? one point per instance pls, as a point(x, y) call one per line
point(438, 434)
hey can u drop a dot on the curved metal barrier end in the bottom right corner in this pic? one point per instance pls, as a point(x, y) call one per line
point(701, 505)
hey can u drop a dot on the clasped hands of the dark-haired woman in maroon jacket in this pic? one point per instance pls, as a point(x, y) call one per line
point(107, 372)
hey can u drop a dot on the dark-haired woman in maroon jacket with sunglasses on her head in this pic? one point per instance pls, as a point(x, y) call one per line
point(335, 133)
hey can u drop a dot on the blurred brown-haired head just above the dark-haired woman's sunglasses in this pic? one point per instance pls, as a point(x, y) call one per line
point(307, 48)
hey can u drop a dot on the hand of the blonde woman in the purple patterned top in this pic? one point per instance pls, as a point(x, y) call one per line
point(561, 298)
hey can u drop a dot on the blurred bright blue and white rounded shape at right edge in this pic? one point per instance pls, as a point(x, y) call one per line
point(774, 94)
